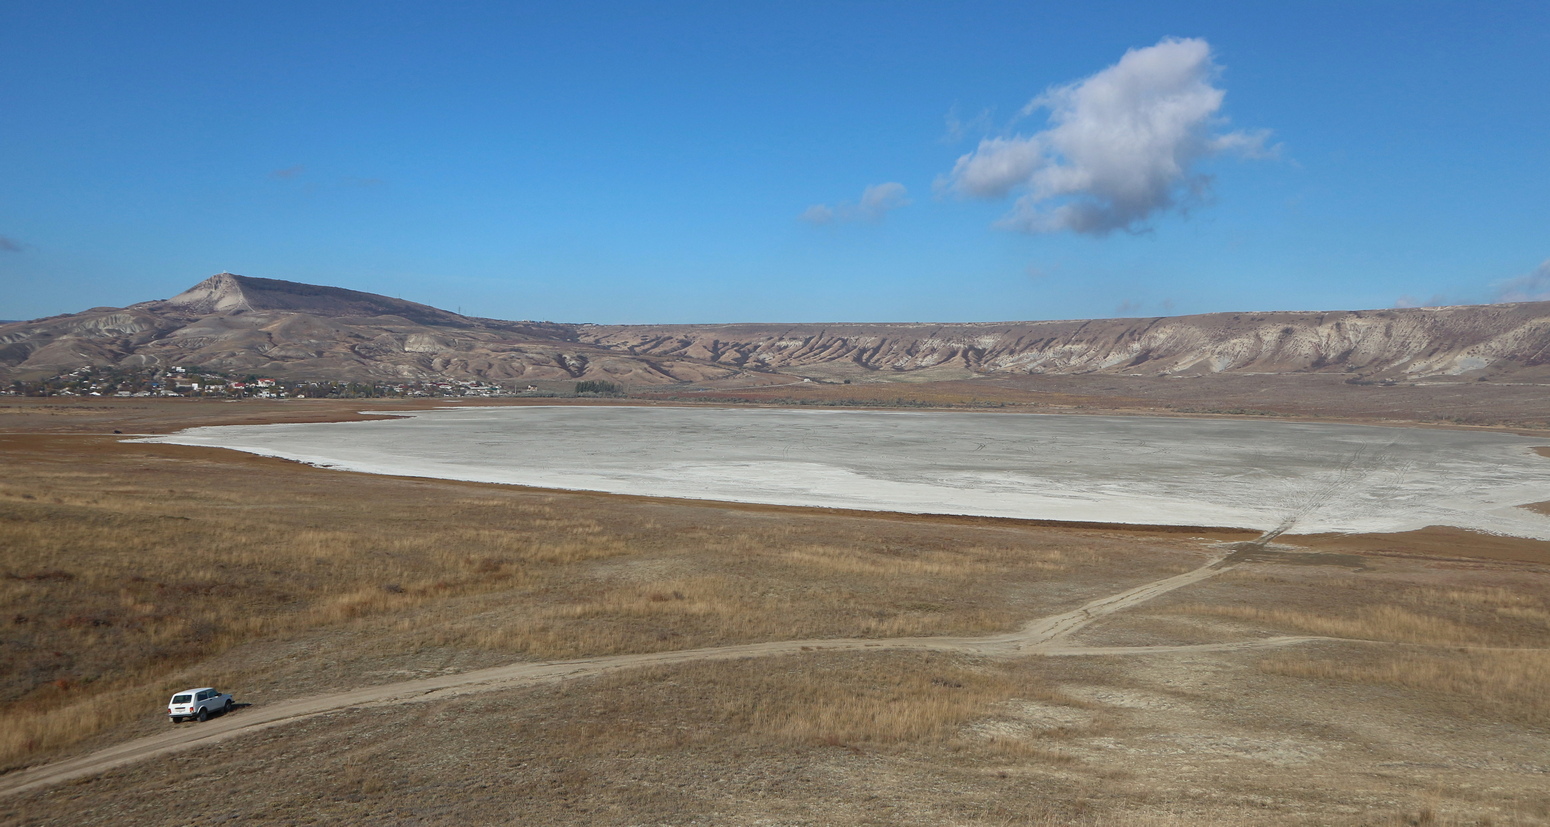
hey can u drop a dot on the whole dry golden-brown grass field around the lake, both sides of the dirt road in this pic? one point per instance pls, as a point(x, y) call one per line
point(134, 571)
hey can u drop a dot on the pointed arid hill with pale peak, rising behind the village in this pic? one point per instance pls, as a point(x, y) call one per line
point(305, 332)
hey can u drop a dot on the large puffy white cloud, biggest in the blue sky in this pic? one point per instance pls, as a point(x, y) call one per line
point(1120, 146)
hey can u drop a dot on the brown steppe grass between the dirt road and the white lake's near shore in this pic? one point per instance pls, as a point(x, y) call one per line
point(128, 563)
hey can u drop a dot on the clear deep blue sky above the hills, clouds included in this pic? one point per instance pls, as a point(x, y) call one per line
point(780, 162)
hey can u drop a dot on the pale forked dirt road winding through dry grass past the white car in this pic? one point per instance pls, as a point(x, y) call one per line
point(1039, 637)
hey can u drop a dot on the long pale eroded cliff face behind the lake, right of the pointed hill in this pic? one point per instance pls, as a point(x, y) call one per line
point(1390, 343)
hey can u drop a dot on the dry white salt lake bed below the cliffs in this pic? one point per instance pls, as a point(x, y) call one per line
point(1132, 470)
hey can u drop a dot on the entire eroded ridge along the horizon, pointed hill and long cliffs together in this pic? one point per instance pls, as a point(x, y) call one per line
point(309, 332)
